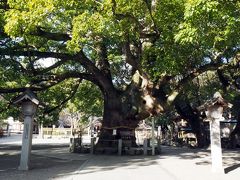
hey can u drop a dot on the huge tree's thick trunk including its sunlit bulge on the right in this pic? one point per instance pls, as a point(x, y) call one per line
point(122, 113)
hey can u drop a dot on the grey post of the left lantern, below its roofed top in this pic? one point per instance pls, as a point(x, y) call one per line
point(26, 143)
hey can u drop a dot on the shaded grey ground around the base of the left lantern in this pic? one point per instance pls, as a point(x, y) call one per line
point(42, 167)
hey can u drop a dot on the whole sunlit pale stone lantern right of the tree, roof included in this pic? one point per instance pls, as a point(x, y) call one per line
point(214, 110)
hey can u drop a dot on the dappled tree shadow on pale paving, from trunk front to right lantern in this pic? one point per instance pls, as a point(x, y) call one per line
point(201, 157)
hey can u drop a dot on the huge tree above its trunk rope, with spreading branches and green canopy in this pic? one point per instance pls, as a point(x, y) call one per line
point(139, 53)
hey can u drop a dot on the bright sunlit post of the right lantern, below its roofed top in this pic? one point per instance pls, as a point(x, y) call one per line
point(216, 150)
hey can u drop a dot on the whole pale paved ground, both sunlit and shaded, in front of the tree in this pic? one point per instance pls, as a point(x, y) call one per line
point(51, 160)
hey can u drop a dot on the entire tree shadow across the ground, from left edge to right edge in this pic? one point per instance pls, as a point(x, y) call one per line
point(50, 162)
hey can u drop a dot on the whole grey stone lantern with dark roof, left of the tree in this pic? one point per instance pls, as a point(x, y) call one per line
point(29, 103)
